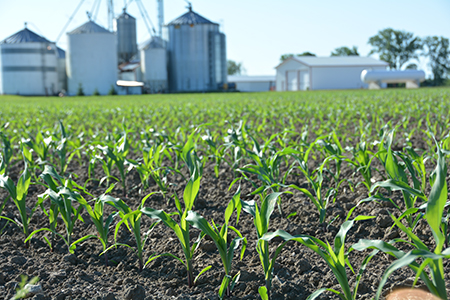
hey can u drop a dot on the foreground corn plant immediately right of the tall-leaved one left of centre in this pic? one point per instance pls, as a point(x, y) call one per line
point(219, 236)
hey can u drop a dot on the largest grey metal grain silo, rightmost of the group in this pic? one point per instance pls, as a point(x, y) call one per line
point(197, 55)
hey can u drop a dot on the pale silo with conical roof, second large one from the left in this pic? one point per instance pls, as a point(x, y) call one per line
point(91, 59)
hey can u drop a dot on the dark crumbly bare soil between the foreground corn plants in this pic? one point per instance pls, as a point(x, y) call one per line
point(298, 272)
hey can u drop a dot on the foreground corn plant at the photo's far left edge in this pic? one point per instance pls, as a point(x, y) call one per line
point(18, 194)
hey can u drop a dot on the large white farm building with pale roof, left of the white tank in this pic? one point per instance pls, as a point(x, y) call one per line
point(324, 73)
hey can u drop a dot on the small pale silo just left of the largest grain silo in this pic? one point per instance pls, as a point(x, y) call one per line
point(154, 65)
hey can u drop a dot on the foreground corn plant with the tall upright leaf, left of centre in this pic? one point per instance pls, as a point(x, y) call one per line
point(181, 229)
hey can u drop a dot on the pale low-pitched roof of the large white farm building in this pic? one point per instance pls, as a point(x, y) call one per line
point(336, 61)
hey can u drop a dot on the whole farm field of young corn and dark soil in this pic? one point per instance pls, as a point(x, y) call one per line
point(240, 196)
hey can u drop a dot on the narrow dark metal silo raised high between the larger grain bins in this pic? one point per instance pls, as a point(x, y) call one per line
point(126, 37)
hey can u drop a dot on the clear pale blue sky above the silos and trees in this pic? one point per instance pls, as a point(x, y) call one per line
point(258, 31)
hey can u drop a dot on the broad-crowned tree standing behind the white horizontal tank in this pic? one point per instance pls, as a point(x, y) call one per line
point(395, 47)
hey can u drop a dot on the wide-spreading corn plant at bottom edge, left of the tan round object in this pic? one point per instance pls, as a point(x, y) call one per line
point(335, 257)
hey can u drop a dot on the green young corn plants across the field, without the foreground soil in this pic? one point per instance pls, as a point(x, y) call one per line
point(394, 143)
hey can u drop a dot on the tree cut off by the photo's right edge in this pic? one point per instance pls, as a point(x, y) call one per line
point(436, 49)
